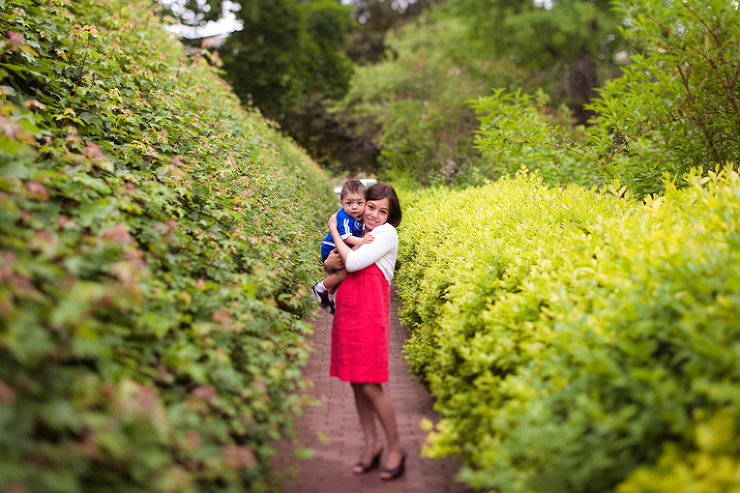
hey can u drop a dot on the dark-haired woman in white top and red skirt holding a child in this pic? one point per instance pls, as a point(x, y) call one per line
point(361, 328)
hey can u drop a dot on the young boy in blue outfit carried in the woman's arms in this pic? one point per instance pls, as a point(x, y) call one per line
point(350, 225)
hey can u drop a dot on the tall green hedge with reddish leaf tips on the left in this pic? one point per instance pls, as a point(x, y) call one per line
point(156, 242)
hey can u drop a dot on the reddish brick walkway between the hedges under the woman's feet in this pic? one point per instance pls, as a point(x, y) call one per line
point(333, 430)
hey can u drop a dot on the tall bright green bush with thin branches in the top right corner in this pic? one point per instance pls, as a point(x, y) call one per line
point(676, 105)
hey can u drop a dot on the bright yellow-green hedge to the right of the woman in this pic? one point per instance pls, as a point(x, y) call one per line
point(579, 341)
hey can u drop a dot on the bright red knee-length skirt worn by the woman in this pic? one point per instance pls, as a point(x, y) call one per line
point(360, 334)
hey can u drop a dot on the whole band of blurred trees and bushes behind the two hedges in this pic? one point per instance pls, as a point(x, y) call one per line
point(457, 92)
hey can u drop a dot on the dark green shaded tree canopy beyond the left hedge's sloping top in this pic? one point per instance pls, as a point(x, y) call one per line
point(287, 51)
